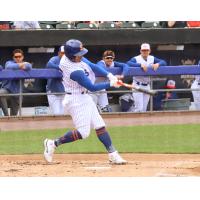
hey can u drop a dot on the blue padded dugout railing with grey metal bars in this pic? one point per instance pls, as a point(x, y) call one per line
point(51, 73)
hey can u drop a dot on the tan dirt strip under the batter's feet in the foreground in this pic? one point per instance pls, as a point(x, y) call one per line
point(96, 165)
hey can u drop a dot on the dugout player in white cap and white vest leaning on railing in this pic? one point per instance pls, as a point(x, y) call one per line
point(145, 61)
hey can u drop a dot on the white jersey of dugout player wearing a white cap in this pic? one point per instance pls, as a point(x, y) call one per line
point(148, 62)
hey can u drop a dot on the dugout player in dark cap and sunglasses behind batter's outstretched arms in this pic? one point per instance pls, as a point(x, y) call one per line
point(108, 62)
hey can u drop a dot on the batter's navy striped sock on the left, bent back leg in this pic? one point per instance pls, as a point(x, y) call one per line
point(70, 136)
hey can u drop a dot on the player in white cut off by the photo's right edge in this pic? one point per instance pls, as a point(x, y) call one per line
point(196, 94)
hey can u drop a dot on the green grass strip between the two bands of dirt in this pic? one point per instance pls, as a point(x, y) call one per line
point(144, 139)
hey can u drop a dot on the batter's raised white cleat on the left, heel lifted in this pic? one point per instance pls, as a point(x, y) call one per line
point(49, 148)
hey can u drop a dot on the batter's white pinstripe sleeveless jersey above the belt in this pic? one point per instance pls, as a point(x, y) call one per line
point(67, 68)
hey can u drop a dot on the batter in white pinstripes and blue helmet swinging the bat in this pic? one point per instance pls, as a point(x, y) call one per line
point(78, 77)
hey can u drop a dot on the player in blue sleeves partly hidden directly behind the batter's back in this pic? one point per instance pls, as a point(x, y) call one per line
point(55, 85)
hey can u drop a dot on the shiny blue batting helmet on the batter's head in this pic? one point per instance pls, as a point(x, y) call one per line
point(74, 48)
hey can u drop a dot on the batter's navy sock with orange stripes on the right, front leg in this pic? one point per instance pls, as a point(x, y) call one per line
point(104, 137)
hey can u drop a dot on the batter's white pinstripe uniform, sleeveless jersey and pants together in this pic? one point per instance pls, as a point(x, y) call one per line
point(80, 106)
